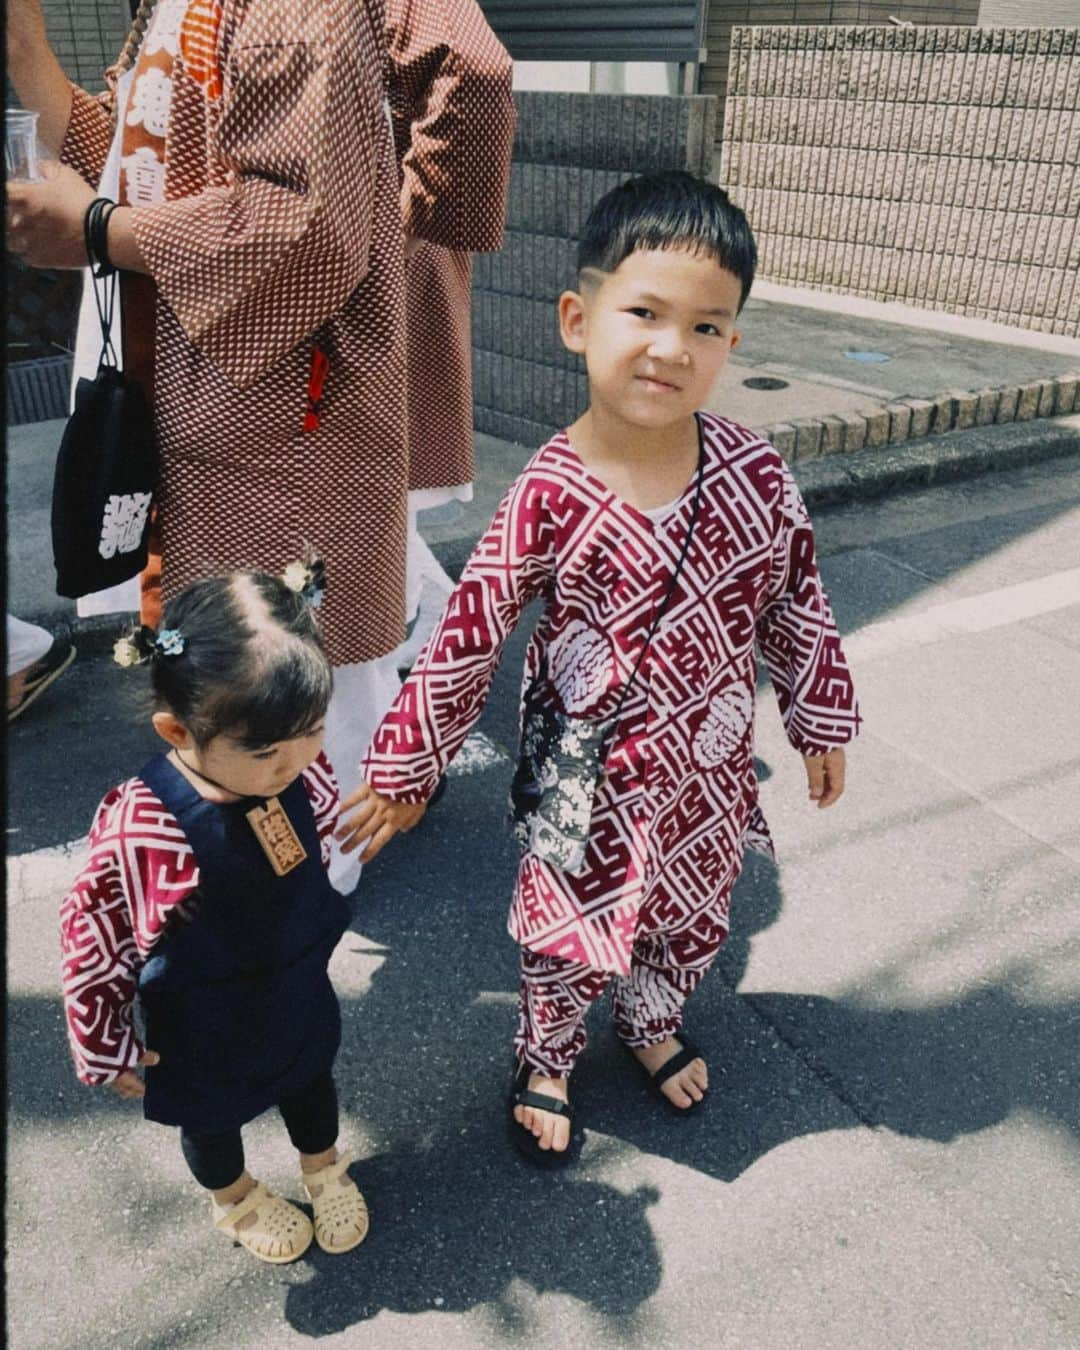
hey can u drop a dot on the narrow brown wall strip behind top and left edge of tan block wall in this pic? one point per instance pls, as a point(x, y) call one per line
point(723, 16)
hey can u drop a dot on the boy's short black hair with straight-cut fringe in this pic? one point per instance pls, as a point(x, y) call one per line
point(669, 211)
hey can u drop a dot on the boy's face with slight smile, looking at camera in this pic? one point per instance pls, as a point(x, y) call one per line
point(655, 334)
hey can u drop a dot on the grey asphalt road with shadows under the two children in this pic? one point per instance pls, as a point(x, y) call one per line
point(890, 1154)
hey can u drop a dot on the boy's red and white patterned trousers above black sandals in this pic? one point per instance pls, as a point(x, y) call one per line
point(647, 1005)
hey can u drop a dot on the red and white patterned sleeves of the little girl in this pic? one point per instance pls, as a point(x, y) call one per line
point(140, 870)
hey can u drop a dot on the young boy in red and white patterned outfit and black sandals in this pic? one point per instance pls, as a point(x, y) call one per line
point(596, 524)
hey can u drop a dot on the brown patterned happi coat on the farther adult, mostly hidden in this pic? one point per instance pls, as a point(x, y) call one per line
point(450, 90)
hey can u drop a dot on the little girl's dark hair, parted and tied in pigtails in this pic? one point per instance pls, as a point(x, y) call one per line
point(253, 662)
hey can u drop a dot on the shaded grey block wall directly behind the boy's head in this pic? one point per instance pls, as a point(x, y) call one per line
point(569, 151)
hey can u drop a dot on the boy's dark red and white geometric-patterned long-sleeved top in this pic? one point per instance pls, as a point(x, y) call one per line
point(678, 800)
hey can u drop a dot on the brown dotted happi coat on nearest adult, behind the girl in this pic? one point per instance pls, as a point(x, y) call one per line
point(280, 233)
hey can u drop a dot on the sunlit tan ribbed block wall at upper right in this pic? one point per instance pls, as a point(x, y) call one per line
point(934, 167)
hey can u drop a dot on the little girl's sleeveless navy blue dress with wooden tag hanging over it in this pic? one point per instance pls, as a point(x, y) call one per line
point(236, 993)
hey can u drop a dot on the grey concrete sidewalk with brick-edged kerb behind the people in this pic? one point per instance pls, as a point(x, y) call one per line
point(819, 354)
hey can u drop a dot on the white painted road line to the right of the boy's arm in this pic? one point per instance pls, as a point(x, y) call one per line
point(973, 615)
